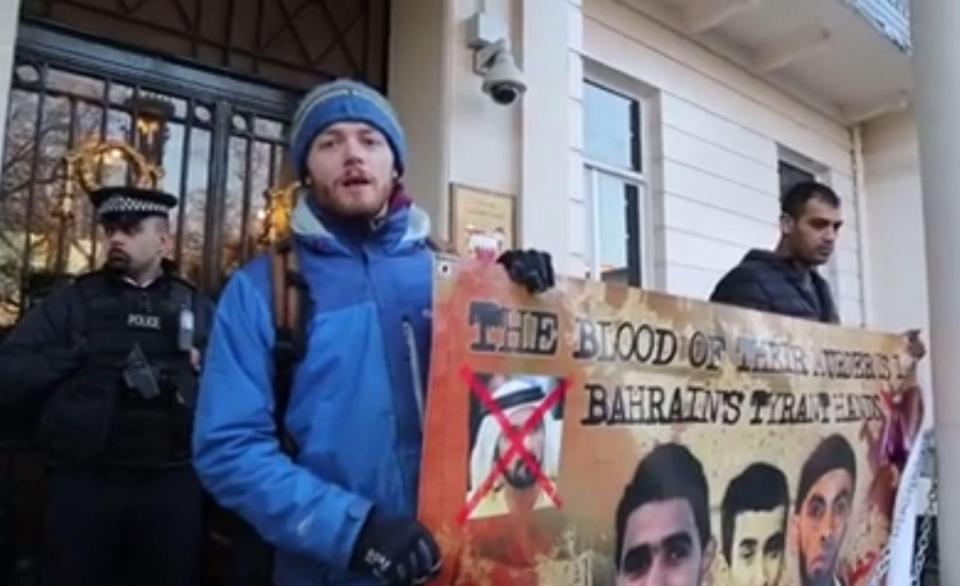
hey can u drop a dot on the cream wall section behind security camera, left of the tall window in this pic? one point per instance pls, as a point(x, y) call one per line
point(459, 135)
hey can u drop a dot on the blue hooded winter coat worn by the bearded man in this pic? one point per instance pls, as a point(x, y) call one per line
point(353, 409)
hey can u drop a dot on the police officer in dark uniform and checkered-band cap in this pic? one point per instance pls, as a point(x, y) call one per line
point(114, 358)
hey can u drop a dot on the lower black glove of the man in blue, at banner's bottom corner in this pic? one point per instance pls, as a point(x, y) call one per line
point(397, 551)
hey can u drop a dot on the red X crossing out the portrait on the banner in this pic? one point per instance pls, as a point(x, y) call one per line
point(516, 441)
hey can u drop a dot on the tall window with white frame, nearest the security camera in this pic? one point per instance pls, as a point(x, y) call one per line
point(615, 185)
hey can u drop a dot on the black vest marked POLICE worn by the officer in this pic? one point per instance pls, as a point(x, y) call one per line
point(138, 429)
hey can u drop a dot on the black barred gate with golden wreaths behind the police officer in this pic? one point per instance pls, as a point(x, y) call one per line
point(220, 143)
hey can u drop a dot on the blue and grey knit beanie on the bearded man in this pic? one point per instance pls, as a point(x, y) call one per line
point(344, 101)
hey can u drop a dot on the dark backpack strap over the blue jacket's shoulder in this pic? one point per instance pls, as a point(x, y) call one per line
point(289, 299)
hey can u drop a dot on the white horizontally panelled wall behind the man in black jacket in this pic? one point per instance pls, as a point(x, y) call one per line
point(719, 134)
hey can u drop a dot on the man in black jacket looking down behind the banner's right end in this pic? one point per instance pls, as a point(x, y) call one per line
point(785, 280)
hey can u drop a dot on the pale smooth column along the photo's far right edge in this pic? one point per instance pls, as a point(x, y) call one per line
point(936, 46)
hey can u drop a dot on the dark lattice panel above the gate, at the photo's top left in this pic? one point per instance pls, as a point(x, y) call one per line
point(295, 43)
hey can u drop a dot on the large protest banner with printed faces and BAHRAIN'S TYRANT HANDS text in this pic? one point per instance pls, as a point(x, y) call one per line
point(597, 435)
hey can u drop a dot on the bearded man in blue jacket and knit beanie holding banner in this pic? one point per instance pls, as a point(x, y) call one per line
point(342, 509)
